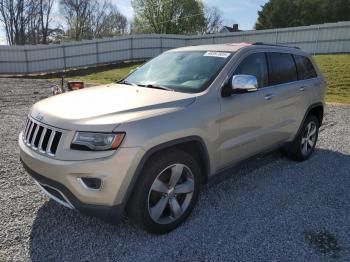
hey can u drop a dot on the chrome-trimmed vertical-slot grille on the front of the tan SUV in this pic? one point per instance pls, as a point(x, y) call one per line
point(41, 138)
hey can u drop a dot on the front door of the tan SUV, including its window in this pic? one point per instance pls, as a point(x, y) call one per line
point(244, 118)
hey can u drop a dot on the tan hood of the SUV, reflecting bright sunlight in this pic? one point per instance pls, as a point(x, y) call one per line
point(102, 108)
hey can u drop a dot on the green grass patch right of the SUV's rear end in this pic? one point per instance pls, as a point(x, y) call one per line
point(336, 69)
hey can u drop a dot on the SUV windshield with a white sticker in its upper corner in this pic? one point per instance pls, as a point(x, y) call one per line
point(180, 71)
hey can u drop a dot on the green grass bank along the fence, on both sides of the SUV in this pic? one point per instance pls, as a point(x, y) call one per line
point(336, 69)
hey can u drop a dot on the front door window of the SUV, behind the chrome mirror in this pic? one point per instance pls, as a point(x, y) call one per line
point(255, 65)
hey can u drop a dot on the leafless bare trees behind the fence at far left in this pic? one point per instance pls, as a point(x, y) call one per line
point(32, 21)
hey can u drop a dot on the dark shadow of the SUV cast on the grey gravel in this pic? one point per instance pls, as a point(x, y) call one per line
point(264, 210)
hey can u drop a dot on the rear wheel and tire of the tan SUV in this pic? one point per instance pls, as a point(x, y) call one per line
point(302, 147)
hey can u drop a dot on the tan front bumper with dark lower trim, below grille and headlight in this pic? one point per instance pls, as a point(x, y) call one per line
point(60, 179)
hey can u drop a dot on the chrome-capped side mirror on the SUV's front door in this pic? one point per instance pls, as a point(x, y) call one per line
point(242, 84)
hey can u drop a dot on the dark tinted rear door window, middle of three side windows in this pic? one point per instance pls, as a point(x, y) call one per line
point(282, 68)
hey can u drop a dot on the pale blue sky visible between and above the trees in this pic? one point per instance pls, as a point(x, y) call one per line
point(242, 12)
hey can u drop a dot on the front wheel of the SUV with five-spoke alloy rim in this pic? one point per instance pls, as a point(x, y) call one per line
point(166, 192)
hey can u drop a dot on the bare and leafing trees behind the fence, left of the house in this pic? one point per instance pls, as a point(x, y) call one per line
point(35, 22)
